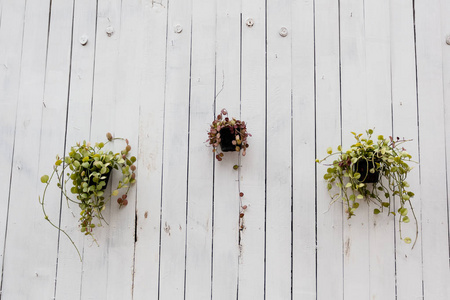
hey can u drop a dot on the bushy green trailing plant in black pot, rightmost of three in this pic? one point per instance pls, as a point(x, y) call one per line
point(375, 171)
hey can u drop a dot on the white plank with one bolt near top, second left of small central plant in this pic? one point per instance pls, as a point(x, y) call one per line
point(176, 141)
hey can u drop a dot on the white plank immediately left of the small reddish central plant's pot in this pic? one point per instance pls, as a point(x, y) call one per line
point(201, 159)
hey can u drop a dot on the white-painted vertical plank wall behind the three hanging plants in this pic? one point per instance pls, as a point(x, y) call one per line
point(344, 65)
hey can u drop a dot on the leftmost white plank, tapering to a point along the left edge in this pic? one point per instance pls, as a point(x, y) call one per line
point(11, 33)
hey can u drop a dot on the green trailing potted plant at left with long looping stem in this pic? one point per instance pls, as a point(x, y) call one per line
point(88, 168)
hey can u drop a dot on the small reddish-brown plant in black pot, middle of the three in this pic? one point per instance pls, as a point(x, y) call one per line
point(231, 135)
